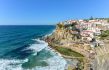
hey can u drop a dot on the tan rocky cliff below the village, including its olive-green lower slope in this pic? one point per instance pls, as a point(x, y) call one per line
point(67, 36)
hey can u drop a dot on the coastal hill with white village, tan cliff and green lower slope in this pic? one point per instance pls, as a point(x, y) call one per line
point(79, 39)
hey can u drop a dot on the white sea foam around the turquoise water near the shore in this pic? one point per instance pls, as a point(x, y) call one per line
point(54, 63)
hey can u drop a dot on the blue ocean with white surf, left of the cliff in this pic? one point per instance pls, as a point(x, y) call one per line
point(23, 48)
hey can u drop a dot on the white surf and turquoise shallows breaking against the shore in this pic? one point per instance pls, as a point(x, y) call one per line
point(42, 54)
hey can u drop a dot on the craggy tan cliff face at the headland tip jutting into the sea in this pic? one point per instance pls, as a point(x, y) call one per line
point(63, 32)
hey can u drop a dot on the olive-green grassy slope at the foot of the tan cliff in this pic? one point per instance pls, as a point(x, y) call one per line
point(68, 52)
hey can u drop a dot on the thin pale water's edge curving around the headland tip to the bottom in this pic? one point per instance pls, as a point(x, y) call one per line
point(70, 65)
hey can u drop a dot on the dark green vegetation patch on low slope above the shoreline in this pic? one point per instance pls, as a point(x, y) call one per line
point(69, 52)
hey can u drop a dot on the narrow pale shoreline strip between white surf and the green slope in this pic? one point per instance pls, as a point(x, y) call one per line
point(72, 61)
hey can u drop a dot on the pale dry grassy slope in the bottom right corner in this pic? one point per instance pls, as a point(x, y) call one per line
point(101, 61)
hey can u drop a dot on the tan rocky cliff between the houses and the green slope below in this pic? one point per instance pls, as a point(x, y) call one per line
point(68, 36)
